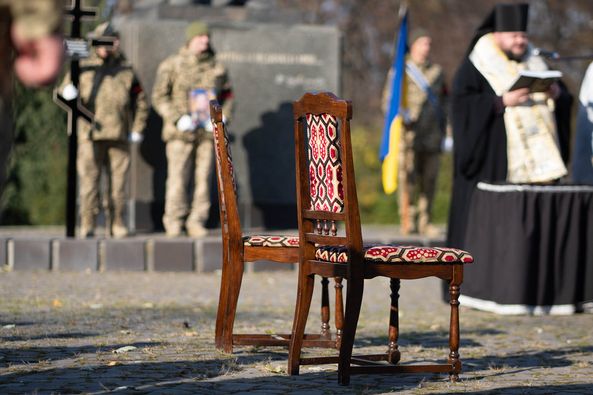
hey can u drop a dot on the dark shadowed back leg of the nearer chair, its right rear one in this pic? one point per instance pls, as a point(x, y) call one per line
point(353, 302)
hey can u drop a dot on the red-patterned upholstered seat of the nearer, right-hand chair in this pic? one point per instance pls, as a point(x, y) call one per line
point(396, 254)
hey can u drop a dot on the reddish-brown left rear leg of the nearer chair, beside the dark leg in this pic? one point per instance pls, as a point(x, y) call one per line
point(301, 312)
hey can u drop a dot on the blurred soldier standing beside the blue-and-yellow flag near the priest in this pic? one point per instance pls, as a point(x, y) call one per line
point(423, 135)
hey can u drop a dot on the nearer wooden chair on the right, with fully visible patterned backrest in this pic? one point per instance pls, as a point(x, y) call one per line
point(332, 246)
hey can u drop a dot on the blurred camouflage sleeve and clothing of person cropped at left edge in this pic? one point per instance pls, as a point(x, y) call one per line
point(33, 18)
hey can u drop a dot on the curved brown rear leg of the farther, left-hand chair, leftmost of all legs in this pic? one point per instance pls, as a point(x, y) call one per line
point(235, 277)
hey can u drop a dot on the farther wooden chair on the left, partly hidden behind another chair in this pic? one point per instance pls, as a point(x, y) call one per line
point(238, 249)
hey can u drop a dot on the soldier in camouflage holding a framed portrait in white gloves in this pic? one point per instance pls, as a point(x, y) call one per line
point(189, 141)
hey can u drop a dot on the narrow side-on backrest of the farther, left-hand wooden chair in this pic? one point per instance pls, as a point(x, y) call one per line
point(227, 190)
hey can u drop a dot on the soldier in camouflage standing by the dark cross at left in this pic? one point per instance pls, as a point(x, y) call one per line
point(110, 89)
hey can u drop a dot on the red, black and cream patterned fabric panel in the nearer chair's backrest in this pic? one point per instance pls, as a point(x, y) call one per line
point(325, 164)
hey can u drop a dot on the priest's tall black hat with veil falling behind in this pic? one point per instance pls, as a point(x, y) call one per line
point(503, 18)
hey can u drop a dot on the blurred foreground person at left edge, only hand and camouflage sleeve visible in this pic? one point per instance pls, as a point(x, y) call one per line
point(31, 46)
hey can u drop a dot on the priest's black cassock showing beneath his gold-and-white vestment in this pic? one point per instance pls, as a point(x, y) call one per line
point(480, 150)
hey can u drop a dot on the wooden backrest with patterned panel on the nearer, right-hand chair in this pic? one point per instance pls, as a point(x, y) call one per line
point(326, 188)
